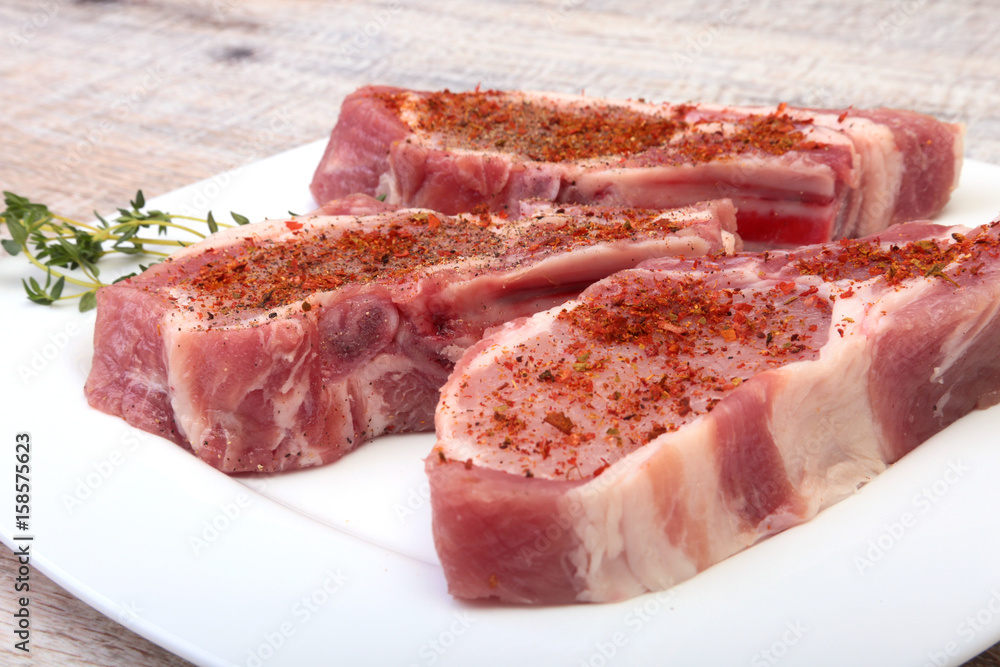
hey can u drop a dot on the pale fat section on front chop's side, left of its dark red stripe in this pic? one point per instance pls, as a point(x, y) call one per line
point(623, 517)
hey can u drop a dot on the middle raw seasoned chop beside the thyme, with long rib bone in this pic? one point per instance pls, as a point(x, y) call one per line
point(285, 344)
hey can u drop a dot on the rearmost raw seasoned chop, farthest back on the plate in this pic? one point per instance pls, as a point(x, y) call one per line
point(797, 176)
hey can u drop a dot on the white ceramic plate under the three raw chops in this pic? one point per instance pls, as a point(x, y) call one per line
point(336, 565)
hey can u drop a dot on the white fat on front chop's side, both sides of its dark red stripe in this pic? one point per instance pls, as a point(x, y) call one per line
point(622, 515)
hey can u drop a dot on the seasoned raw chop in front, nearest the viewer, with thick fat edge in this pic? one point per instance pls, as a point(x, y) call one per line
point(679, 412)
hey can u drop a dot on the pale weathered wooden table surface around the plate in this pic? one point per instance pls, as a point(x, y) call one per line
point(100, 97)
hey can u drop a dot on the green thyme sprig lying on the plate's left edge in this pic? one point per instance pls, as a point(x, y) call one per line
point(57, 245)
